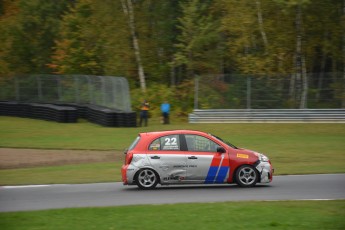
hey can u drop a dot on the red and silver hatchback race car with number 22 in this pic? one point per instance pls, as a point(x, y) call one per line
point(186, 157)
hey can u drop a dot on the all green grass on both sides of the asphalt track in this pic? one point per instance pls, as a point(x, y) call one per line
point(293, 149)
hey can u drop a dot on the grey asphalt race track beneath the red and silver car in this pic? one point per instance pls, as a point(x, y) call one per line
point(299, 187)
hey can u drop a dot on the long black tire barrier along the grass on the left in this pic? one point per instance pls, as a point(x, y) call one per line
point(69, 113)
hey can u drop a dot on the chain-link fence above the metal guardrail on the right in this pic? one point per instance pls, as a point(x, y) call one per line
point(324, 90)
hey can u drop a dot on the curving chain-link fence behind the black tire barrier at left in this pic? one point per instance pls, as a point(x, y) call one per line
point(107, 91)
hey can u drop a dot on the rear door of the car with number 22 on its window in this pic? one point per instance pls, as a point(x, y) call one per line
point(167, 159)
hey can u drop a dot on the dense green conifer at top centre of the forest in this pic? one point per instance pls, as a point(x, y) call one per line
point(197, 39)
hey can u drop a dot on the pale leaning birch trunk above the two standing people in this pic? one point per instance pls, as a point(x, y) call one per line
point(128, 10)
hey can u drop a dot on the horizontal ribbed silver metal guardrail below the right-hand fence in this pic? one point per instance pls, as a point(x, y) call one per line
point(267, 115)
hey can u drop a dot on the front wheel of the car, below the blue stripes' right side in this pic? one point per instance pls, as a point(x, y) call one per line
point(247, 176)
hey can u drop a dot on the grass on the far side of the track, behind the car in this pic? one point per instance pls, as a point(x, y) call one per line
point(292, 148)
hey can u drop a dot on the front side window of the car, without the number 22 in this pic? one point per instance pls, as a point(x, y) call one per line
point(200, 144)
